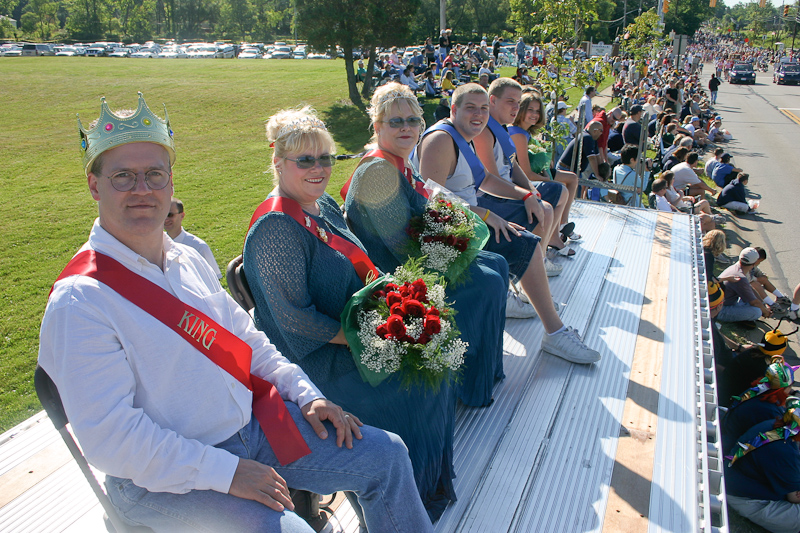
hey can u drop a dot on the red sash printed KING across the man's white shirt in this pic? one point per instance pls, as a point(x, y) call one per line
point(221, 346)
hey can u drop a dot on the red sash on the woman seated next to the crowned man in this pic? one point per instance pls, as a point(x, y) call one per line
point(365, 269)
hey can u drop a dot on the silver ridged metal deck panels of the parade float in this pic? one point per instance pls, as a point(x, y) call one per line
point(541, 457)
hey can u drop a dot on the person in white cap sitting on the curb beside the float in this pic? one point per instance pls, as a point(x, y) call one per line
point(741, 304)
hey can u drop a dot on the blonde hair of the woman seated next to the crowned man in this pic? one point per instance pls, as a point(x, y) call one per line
point(294, 131)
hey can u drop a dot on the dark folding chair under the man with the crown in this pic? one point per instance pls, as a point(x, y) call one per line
point(51, 401)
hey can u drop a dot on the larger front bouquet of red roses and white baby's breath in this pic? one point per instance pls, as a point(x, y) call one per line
point(401, 323)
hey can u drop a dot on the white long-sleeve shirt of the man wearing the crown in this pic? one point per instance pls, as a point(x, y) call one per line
point(143, 403)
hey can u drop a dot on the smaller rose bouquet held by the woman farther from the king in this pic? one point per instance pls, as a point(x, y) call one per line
point(448, 234)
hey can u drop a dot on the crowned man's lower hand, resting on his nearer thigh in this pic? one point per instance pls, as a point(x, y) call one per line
point(259, 482)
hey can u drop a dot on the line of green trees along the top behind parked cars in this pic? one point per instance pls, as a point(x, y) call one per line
point(266, 20)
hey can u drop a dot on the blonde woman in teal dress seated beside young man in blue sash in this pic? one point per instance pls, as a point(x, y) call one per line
point(380, 203)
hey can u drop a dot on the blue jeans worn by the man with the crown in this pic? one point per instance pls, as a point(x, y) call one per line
point(377, 469)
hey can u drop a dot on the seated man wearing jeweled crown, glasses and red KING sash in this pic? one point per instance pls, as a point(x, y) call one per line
point(198, 422)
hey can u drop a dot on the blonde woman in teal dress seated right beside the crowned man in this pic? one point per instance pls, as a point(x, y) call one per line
point(302, 264)
